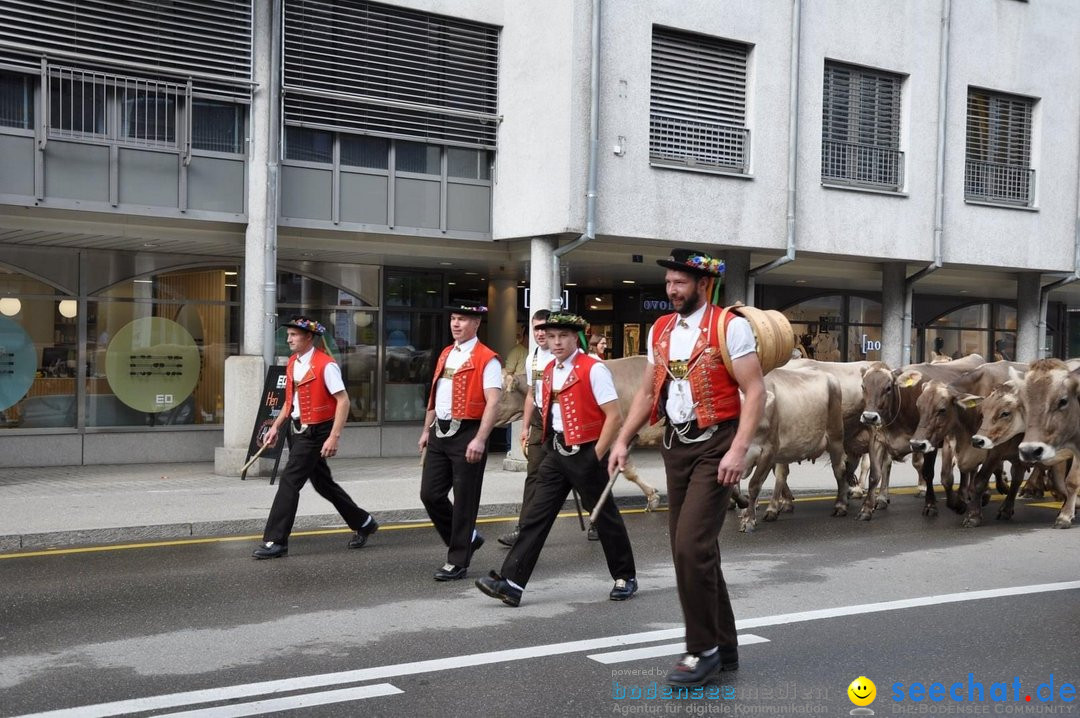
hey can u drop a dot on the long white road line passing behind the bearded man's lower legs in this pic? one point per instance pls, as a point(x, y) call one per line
point(379, 673)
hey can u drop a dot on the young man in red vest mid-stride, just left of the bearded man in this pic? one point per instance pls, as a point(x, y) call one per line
point(582, 416)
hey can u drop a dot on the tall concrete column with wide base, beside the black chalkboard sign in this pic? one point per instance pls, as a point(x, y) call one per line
point(245, 374)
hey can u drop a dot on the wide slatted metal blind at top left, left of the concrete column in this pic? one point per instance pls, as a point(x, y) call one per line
point(209, 40)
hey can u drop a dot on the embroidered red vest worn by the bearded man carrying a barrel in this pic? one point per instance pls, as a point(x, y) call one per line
point(715, 391)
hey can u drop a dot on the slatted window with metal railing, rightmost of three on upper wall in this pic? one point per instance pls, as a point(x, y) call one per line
point(998, 167)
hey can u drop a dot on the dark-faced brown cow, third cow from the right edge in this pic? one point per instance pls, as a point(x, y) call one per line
point(950, 415)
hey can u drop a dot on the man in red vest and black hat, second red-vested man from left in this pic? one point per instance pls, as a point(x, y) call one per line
point(462, 410)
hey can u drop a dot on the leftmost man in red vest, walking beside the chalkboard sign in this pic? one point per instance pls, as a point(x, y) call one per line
point(317, 408)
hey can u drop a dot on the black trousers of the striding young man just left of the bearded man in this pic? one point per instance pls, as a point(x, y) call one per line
point(557, 477)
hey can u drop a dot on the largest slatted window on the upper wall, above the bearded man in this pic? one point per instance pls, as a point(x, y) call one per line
point(698, 102)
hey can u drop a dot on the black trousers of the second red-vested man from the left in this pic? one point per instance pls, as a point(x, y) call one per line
point(444, 469)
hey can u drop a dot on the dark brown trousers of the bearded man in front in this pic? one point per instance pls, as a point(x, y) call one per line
point(697, 506)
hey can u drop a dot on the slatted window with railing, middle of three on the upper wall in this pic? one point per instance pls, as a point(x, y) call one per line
point(861, 128)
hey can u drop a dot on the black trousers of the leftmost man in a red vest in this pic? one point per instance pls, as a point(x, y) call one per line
point(305, 463)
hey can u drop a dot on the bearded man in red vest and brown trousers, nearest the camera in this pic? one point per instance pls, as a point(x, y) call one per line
point(706, 442)
